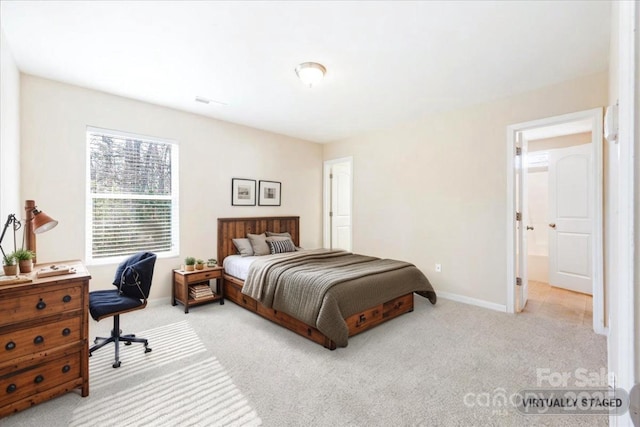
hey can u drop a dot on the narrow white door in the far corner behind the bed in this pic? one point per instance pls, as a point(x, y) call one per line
point(338, 189)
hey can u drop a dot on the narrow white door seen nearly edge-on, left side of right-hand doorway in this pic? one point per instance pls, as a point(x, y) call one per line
point(522, 197)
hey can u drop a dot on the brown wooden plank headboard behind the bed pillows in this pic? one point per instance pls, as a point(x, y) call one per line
point(234, 228)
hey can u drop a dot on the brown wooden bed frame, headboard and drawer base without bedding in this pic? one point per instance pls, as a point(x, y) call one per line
point(232, 228)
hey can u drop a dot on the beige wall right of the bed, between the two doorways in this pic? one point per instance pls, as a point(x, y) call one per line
point(434, 190)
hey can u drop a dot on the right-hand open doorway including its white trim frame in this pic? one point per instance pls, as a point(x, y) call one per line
point(555, 212)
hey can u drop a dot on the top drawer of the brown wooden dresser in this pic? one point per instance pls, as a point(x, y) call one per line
point(37, 305)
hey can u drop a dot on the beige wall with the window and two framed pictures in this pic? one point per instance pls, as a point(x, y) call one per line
point(54, 120)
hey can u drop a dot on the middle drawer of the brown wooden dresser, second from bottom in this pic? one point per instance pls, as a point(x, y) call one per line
point(39, 338)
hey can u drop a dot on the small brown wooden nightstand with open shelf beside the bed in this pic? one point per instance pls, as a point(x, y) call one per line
point(193, 287)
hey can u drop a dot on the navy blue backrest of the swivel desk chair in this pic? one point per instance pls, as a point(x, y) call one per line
point(134, 275)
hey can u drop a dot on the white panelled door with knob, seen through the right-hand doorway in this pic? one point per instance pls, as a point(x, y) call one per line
point(571, 218)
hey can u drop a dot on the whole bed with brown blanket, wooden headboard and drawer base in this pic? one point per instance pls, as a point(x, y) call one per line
point(346, 308)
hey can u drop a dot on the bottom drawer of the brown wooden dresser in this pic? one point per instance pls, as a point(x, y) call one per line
point(39, 378)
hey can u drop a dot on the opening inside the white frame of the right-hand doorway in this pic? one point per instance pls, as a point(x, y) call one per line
point(559, 265)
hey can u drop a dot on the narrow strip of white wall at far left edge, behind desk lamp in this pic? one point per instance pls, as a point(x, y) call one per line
point(9, 137)
